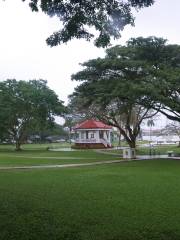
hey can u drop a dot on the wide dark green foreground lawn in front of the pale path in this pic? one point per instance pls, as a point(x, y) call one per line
point(128, 201)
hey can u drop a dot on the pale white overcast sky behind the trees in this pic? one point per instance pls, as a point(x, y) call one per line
point(25, 55)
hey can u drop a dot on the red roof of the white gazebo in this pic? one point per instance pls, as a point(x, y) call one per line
point(92, 124)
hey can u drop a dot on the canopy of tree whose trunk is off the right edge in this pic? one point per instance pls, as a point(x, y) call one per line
point(162, 68)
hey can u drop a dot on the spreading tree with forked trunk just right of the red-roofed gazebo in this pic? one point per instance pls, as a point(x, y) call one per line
point(113, 90)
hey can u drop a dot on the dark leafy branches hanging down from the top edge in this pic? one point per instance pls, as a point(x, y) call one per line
point(107, 17)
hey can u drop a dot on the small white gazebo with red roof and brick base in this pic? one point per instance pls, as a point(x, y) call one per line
point(92, 134)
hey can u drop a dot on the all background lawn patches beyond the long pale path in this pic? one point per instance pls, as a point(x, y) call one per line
point(36, 154)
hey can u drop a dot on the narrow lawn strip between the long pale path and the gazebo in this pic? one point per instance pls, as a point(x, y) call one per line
point(43, 157)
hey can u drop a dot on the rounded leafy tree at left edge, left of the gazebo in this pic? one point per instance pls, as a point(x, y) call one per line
point(26, 105)
